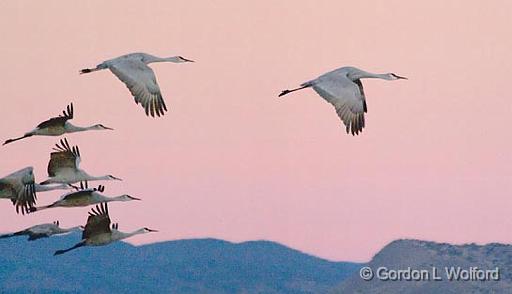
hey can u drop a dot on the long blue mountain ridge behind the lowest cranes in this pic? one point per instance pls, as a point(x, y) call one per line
point(182, 266)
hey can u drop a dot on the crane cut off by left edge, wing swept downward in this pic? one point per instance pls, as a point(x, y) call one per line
point(21, 189)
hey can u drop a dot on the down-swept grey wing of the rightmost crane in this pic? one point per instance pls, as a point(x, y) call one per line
point(348, 99)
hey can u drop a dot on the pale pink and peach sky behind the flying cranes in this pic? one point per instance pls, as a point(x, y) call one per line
point(230, 160)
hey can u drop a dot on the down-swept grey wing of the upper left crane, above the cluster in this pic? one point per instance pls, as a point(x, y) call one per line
point(141, 81)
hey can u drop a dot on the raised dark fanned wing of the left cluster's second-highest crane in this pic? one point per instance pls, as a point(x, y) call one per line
point(64, 157)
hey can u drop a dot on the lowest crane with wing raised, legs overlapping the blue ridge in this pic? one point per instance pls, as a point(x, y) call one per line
point(98, 232)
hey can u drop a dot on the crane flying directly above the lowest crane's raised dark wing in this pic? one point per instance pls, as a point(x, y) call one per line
point(85, 196)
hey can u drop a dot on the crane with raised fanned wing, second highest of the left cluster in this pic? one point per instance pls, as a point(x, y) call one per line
point(64, 166)
